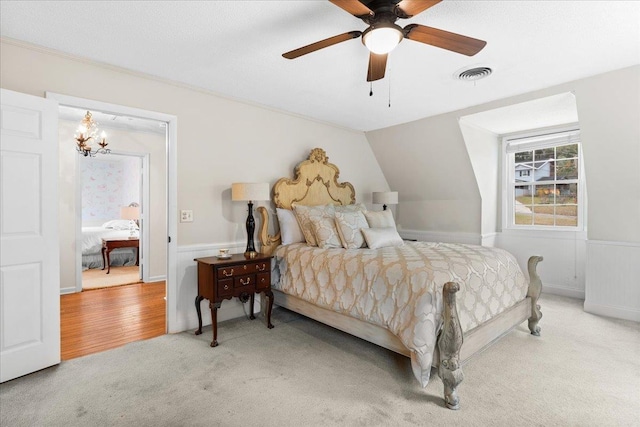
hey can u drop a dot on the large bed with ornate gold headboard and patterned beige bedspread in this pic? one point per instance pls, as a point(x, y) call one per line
point(419, 299)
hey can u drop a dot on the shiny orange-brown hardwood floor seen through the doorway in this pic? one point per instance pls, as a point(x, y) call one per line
point(102, 319)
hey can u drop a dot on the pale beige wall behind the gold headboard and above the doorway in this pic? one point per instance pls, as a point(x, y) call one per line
point(220, 141)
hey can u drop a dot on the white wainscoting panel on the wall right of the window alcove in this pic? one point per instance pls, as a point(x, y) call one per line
point(613, 279)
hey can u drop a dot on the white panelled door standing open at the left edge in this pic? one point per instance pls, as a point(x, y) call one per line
point(29, 257)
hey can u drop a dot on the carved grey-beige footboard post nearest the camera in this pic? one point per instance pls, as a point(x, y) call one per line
point(449, 344)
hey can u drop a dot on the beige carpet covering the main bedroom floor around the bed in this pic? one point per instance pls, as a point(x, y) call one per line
point(584, 370)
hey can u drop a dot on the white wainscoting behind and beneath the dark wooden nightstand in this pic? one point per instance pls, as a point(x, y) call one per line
point(187, 276)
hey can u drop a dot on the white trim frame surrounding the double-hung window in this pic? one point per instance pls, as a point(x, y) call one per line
point(508, 175)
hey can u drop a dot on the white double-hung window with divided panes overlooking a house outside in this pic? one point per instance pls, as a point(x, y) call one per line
point(543, 180)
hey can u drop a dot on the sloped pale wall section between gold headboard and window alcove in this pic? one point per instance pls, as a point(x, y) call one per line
point(427, 163)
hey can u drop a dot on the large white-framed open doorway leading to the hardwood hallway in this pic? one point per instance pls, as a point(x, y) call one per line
point(129, 132)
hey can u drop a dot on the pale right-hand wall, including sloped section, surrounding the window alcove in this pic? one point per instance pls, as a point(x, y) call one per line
point(609, 115)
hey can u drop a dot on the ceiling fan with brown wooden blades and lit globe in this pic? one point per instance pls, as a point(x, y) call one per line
point(383, 34)
